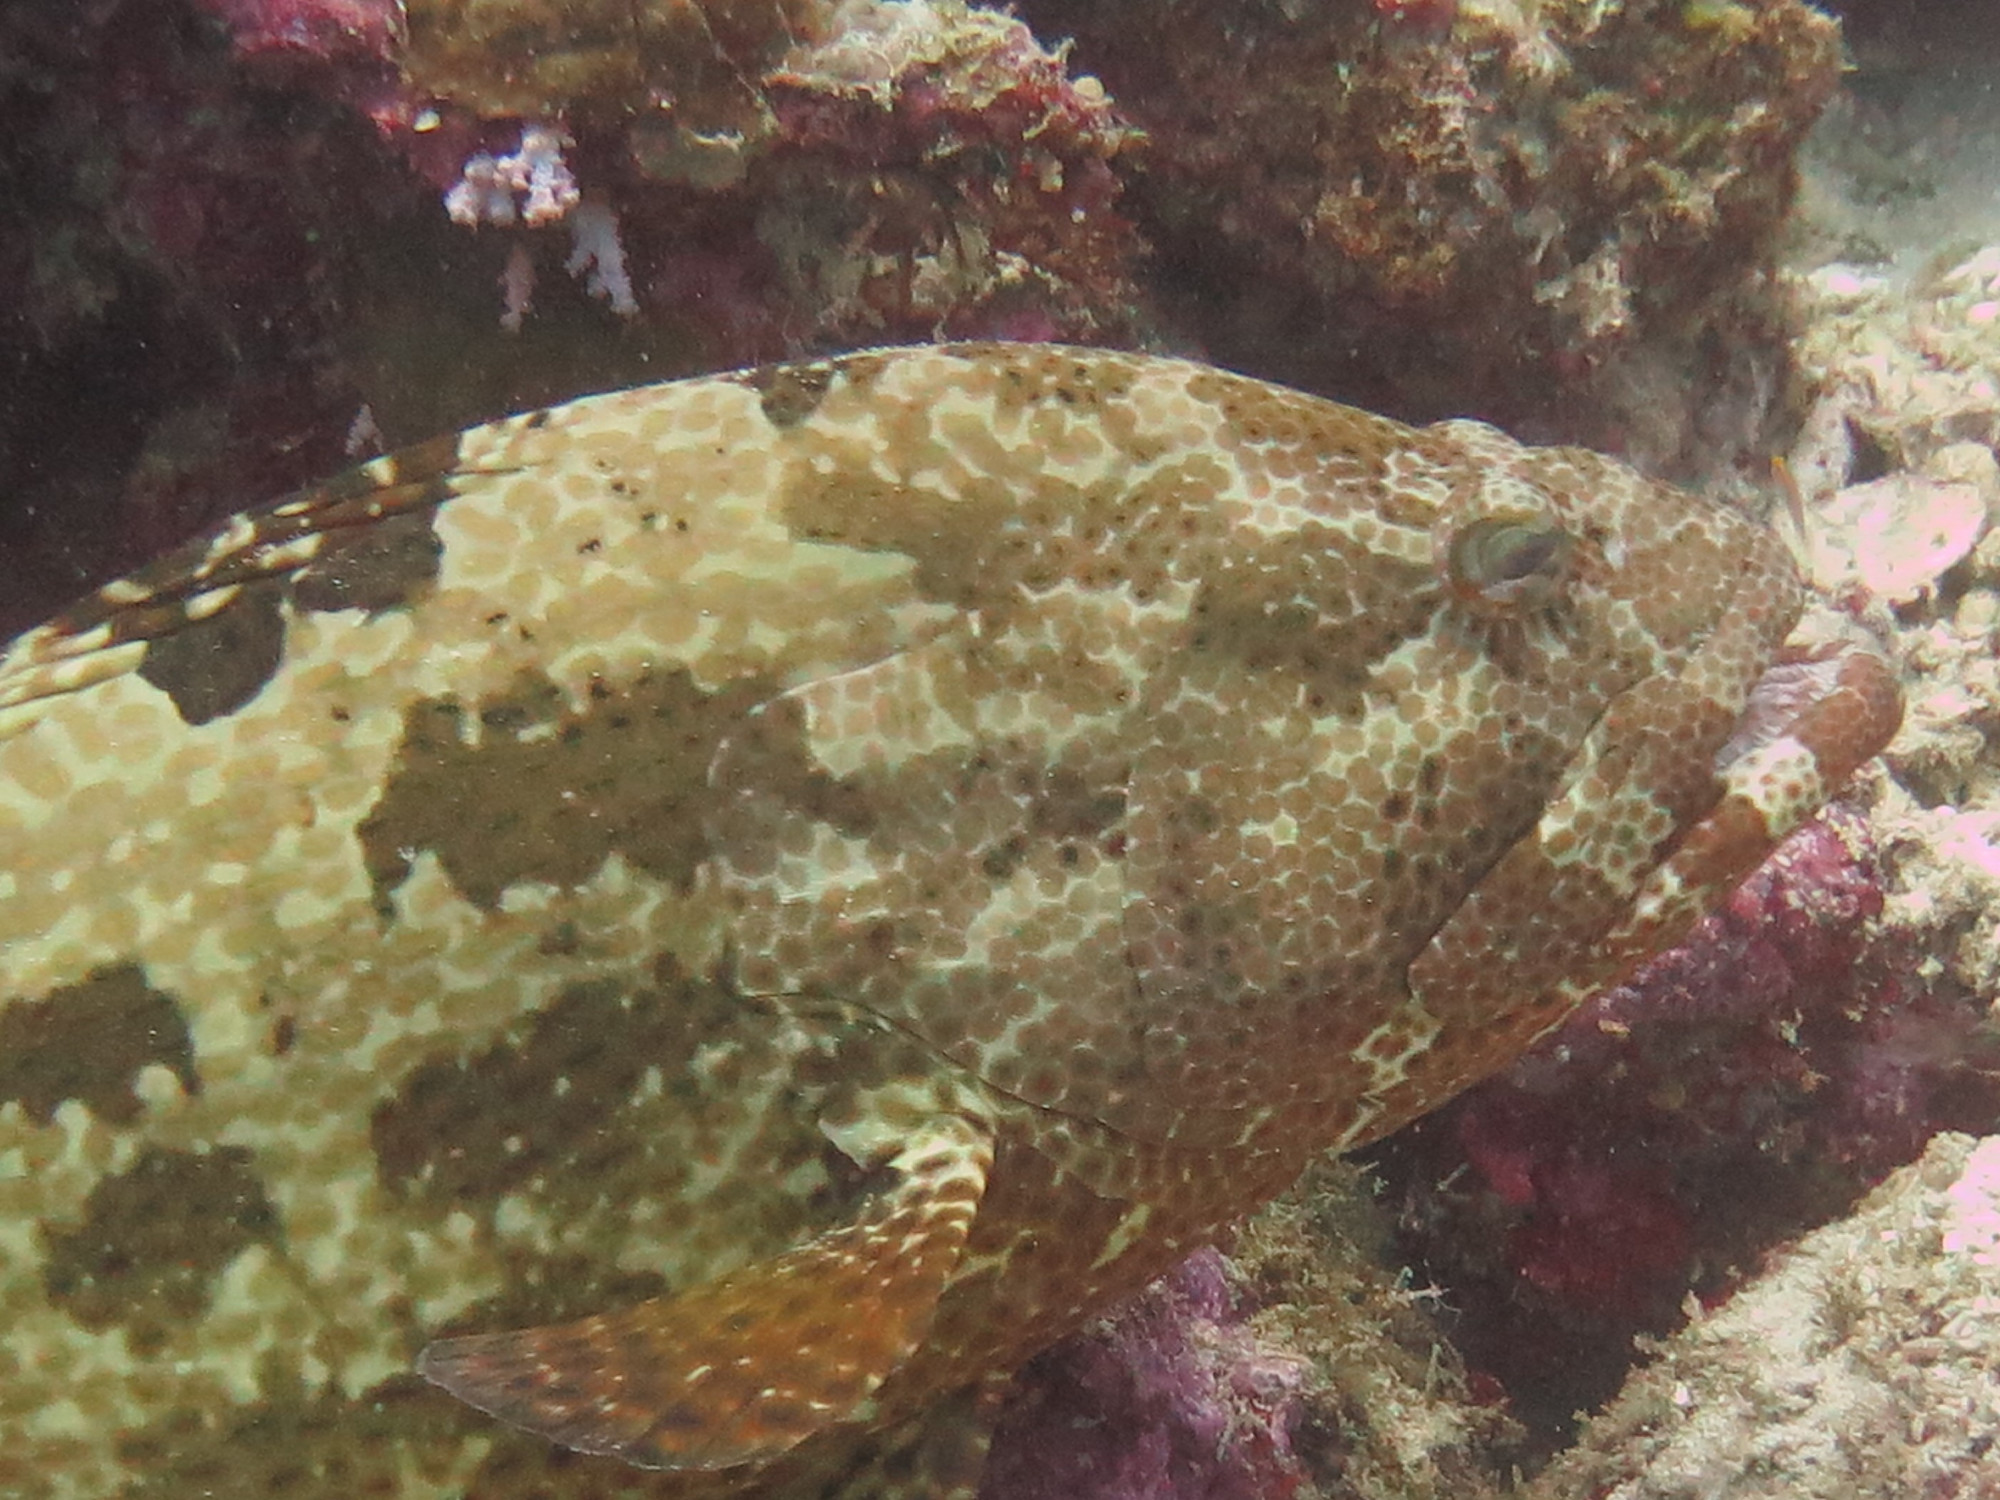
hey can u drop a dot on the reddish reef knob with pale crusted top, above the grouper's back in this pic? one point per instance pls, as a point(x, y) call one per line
point(937, 173)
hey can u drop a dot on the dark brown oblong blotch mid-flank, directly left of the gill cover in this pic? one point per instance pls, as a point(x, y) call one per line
point(545, 793)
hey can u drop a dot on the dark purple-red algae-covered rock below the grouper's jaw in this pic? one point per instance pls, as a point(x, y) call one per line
point(1739, 1091)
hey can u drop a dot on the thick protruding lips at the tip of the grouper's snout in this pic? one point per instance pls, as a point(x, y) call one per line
point(1841, 703)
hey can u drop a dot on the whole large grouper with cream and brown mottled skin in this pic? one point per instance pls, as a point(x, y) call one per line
point(825, 877)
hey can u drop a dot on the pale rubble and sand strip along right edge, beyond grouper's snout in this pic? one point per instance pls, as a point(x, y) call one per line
point(1895, 457)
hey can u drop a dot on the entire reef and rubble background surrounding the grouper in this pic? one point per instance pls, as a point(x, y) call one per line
point(1733, 1231)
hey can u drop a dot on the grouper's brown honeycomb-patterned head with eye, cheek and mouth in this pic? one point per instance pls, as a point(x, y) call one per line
point(1481, 729)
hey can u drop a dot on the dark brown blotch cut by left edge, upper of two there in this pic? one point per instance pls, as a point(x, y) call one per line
point(89, 1041)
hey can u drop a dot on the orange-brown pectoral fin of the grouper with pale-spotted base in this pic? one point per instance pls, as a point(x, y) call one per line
point(743, 1369)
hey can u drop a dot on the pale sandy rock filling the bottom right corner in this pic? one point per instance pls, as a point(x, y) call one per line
point(1861, 1363)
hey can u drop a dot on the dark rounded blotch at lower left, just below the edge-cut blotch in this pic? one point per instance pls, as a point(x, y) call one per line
point(153, 1237)
